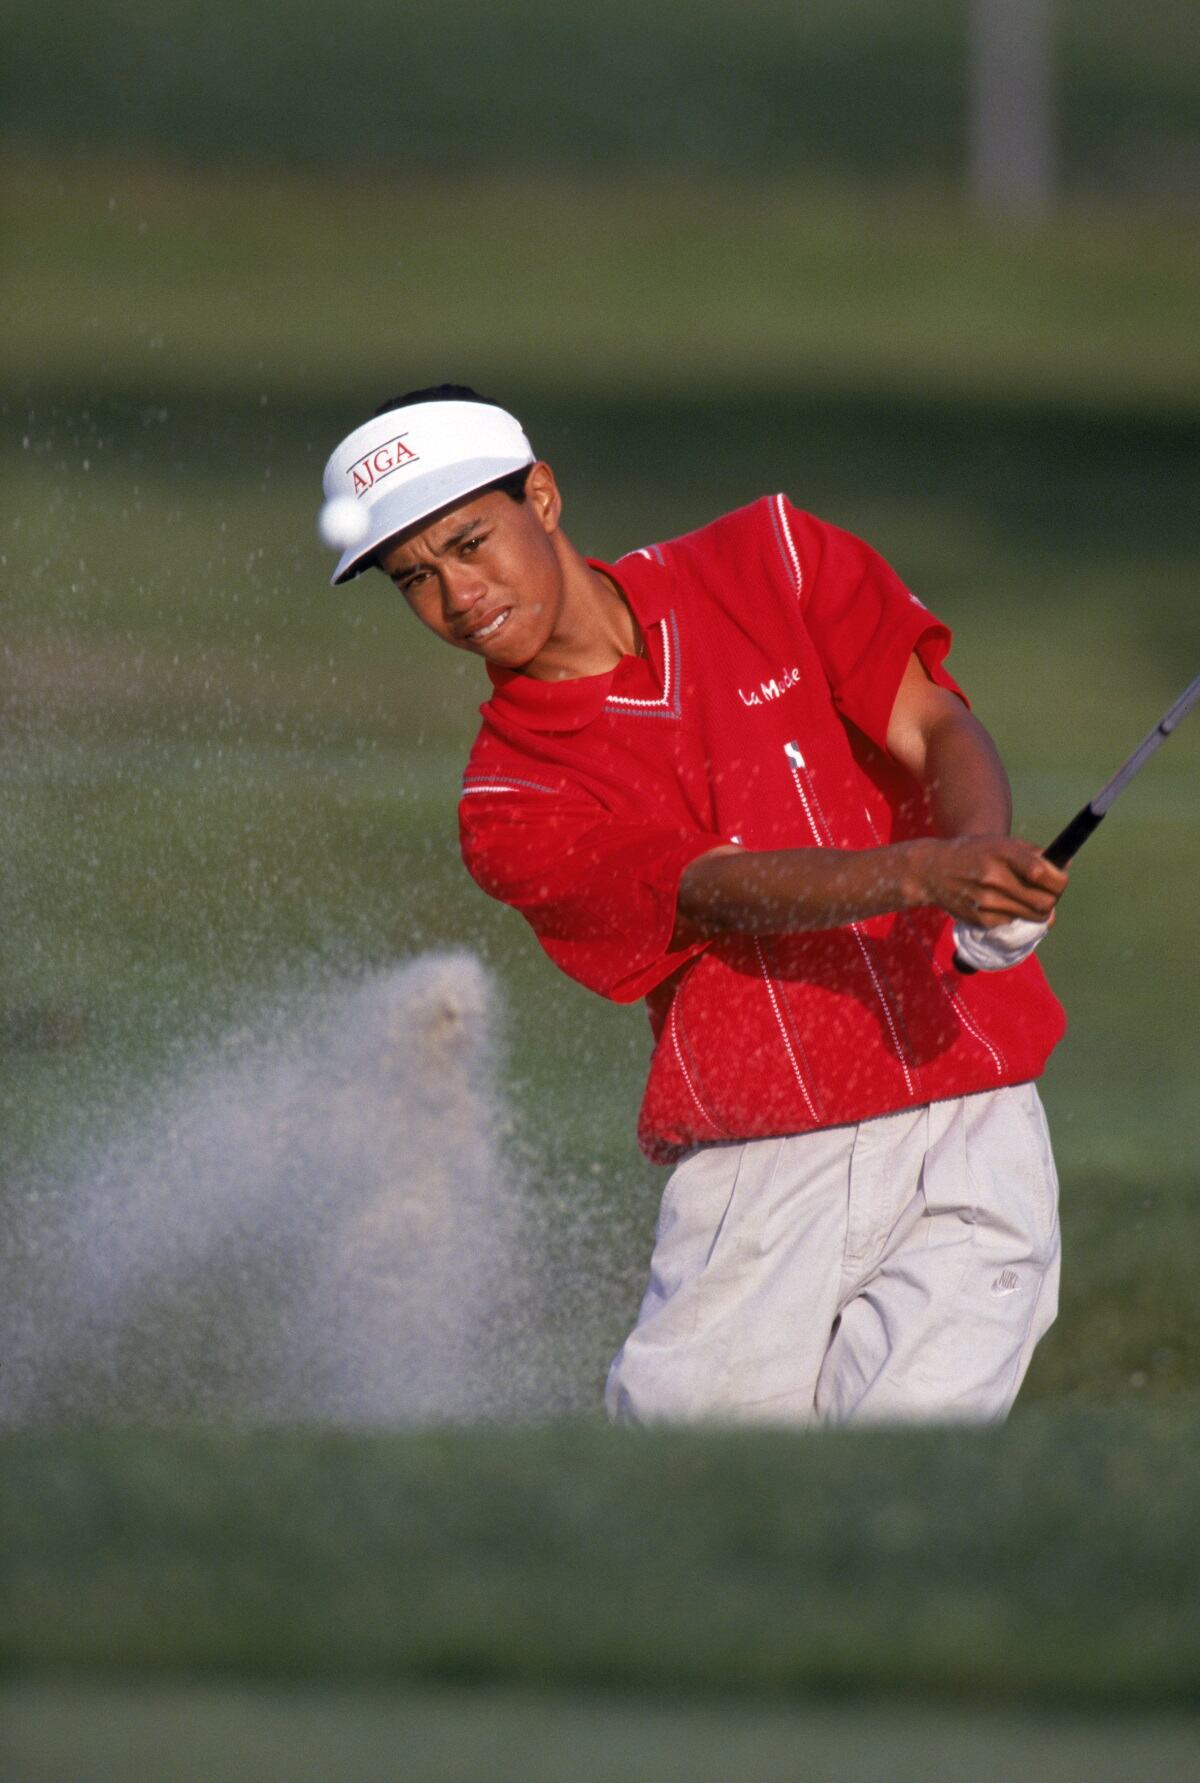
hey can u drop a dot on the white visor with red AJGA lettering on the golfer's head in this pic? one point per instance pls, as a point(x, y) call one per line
point(404, 466)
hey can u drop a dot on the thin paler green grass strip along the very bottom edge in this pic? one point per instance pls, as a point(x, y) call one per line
point(495, 1736)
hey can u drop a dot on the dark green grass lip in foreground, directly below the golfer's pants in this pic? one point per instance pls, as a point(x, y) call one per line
point(1055, 1563)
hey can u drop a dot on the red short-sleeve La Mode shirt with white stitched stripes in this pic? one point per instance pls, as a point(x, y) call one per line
point(759, 716)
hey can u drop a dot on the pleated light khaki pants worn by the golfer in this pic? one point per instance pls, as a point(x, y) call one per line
point(896, 1270)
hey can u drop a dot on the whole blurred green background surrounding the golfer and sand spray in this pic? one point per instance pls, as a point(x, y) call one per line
point(705, 254)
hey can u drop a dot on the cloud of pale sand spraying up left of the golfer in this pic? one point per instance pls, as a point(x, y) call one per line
point(318, 1220)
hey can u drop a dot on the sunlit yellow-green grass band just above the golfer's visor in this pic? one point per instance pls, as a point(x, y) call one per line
point(243, 288)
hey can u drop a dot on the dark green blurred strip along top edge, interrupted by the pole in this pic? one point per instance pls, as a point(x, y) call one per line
point(711, 85)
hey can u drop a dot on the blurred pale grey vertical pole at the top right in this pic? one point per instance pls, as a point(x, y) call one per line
point(1012, 108)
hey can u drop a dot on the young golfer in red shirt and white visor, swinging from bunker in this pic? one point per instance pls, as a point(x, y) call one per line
point(732, 775)
